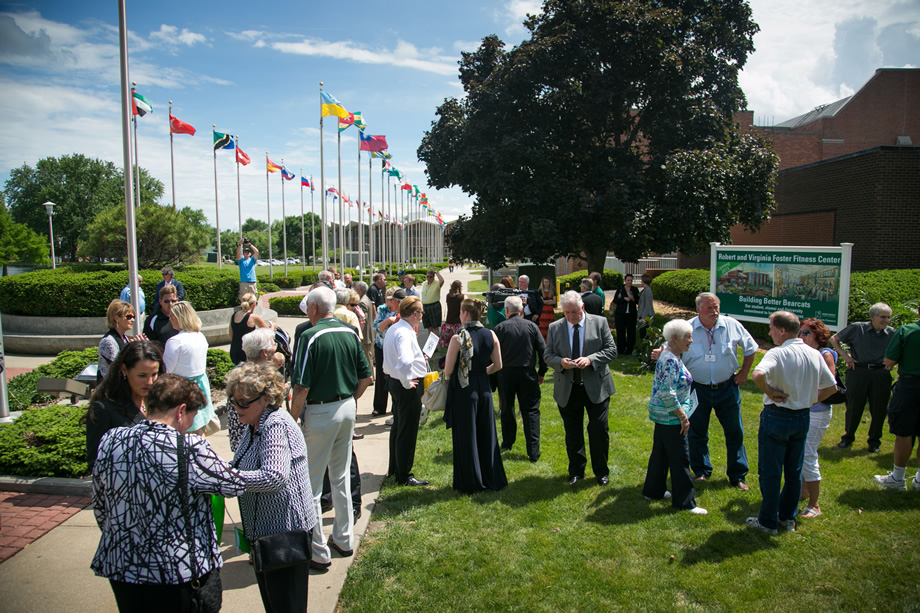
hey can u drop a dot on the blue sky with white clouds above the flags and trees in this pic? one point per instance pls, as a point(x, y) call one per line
point(254, 70)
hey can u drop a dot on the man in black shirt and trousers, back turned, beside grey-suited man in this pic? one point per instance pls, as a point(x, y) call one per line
point(522, 346)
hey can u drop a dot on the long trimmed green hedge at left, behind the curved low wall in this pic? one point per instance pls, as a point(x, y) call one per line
point(71, 292)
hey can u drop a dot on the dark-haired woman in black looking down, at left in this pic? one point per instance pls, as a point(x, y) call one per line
point(119, 399)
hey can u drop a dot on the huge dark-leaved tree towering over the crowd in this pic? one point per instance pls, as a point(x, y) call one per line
point(610, 129)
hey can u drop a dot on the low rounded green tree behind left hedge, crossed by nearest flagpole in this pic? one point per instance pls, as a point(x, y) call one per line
point(165, 236)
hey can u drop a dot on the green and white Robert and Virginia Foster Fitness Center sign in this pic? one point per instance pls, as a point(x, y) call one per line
point(752, 282)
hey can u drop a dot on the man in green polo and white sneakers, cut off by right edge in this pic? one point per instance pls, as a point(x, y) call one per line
point(904, 408)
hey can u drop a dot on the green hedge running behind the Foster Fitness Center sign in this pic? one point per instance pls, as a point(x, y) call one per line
point(899, 288)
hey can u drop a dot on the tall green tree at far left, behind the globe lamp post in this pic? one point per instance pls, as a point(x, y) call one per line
point(80, 186)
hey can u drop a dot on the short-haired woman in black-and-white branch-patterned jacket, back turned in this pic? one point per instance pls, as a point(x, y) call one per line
point(144, 504)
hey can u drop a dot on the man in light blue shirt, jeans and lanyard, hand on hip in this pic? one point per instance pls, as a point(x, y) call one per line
point(713, 363)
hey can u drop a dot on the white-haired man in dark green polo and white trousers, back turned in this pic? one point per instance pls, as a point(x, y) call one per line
point(330, 374)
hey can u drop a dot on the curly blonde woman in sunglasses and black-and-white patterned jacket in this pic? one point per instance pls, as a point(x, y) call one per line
point(273, 444)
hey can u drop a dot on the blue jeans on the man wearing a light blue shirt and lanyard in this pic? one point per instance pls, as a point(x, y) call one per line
point(727, 404)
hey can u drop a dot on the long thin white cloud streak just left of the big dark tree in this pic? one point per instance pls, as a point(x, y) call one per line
point(404, 54)
